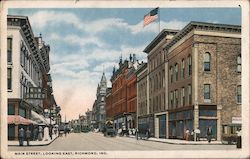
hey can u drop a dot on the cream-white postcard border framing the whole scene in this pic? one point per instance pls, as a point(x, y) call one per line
point(242, 153)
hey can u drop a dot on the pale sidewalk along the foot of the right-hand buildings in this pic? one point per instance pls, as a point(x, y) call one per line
point(179, 142)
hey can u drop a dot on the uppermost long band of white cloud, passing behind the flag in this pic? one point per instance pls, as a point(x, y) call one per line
point(42, 18)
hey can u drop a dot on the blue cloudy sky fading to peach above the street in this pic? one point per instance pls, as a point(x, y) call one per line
point(85, 42)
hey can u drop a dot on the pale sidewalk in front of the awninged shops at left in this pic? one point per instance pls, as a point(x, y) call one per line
point(34, 143)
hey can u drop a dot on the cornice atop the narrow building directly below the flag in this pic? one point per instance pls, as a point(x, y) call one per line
point(158, 38)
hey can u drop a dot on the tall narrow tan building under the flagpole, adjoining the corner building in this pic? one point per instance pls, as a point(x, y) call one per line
point(157, 81)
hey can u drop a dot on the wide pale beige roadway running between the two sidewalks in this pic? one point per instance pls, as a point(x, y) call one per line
point(97, 142)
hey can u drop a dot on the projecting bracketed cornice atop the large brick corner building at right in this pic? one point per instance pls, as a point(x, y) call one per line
point(202, 26)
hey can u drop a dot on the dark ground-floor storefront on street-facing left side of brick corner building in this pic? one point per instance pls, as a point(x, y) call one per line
point(179, 122)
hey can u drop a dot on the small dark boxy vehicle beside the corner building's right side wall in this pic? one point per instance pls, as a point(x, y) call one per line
point(229, 135)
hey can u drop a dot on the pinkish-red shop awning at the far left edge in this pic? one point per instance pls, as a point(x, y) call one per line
point(19, 120)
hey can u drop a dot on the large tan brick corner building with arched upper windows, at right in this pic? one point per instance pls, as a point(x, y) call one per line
point(204, 78)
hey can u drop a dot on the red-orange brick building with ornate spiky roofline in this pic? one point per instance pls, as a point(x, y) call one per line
point(123, 94)
